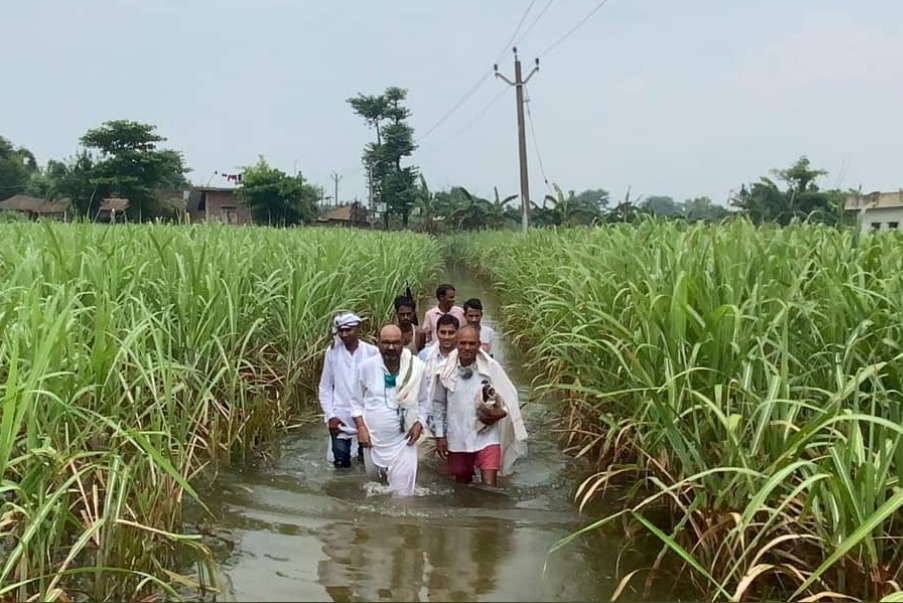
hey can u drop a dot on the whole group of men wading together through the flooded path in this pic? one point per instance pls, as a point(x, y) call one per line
point(438, 382)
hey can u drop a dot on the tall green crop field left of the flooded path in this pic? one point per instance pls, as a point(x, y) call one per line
point(131, 357)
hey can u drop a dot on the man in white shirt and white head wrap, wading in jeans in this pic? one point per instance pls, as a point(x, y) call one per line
point(336, 385)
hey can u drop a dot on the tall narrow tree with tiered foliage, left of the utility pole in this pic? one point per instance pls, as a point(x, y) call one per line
point(394, 184)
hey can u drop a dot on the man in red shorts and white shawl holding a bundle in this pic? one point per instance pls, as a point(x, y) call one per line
point(471, 432)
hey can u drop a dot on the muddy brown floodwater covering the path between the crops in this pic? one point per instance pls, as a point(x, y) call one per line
point(302, 531)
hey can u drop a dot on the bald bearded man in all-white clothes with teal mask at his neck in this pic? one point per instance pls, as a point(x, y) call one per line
point(389, 405)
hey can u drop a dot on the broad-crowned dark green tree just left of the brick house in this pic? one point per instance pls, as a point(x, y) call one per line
point(132, 166)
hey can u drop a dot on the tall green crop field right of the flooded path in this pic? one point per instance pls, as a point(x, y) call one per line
point(747, 380)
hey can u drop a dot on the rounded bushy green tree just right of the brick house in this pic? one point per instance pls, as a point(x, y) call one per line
point(276, 197)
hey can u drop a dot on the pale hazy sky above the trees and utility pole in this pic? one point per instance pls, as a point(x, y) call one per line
point(667, 97)
